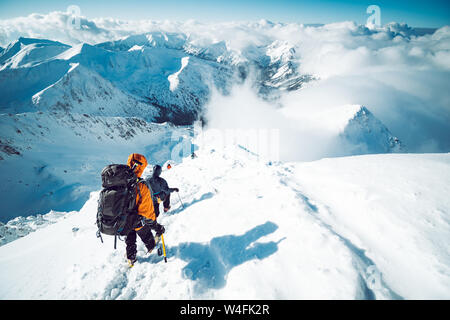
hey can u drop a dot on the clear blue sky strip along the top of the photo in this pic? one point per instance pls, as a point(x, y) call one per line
point(431, 13)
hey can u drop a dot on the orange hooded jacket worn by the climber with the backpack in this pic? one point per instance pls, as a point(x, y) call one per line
point(145, 205)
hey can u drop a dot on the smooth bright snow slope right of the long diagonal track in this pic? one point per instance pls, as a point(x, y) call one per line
point(394, 207)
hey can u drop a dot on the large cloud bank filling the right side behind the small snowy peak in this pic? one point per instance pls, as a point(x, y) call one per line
point(402, 80)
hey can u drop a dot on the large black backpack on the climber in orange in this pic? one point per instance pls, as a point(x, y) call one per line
point(117, 209)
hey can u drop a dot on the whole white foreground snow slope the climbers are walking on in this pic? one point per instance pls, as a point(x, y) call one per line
point(362, 227)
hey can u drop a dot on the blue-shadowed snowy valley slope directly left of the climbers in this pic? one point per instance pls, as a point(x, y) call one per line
point(52, 159)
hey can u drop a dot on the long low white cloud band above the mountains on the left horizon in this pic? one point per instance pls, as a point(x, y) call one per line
point(59, 26)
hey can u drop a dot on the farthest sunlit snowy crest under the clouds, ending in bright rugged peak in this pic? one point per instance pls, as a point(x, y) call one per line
point(275, 62)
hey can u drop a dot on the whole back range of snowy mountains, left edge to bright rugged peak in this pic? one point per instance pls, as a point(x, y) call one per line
point(113, 60)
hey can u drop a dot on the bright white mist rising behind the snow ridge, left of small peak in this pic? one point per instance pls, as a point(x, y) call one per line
point(243, 118)
